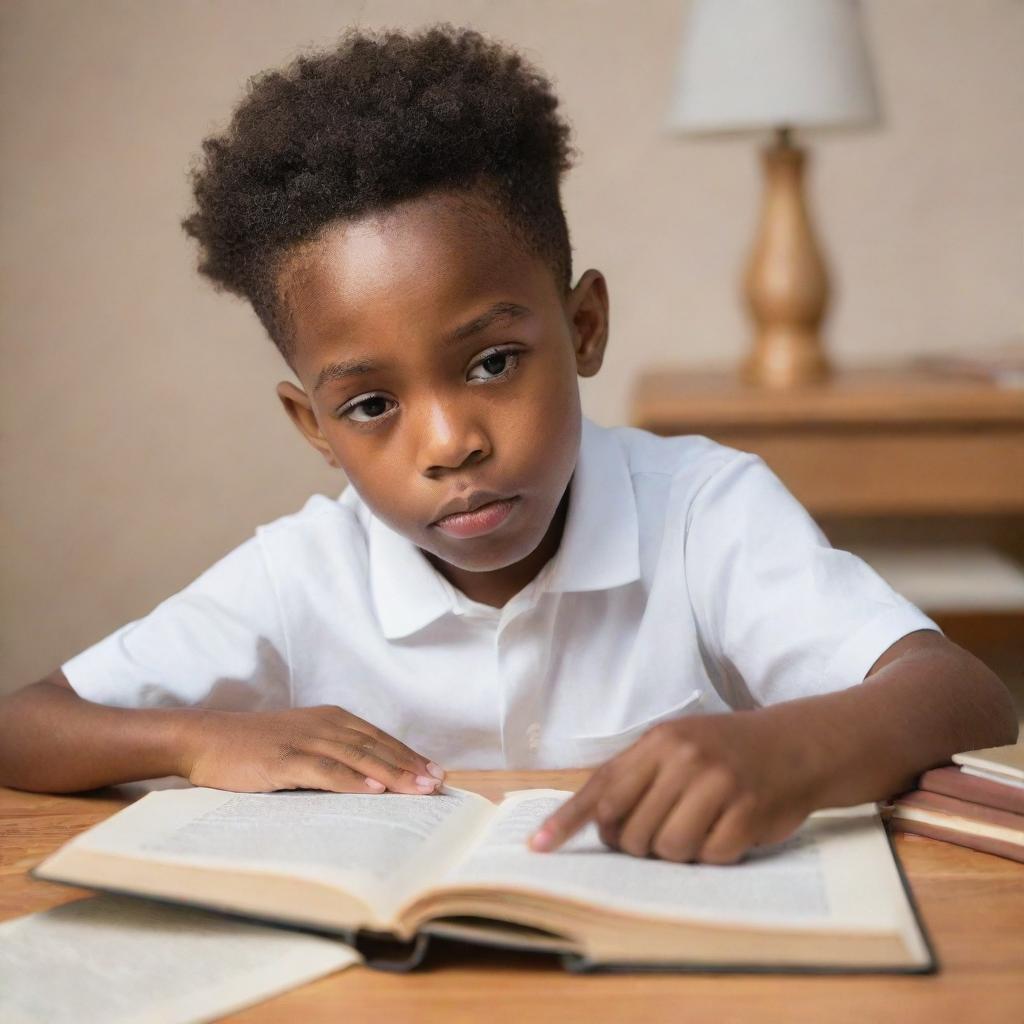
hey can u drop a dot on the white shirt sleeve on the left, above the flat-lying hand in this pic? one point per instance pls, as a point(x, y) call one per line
point(219, 644)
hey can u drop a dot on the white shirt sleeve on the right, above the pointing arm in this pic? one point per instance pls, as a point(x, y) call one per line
point(776, 605)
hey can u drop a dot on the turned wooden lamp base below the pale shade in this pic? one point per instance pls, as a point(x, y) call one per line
point(787, 286)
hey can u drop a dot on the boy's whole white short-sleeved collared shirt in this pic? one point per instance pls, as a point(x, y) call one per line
point(689, 581)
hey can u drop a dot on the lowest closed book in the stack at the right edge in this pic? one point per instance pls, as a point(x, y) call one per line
point(961, 823)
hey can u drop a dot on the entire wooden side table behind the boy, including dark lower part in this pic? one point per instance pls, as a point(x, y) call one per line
point(878, 455)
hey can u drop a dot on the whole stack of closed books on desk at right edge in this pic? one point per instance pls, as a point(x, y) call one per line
point(977, 802)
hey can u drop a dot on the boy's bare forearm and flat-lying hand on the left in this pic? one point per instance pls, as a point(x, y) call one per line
point(53, 741)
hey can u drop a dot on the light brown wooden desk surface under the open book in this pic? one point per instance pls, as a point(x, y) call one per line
point(972, 904)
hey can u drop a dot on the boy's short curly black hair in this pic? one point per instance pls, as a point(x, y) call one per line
point(380, 119)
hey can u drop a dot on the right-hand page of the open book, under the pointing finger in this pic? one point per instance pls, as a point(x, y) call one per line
point(836, 870)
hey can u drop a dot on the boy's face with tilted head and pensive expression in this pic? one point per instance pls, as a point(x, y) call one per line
point(439, 364)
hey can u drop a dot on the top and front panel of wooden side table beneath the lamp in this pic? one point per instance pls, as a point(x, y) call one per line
point(868, 443)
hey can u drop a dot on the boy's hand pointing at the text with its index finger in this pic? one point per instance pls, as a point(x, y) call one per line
point(707, 789)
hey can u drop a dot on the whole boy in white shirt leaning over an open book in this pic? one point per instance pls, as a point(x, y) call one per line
point(505, 584)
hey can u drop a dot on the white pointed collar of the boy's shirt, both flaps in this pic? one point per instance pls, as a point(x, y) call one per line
point(600, 547)
